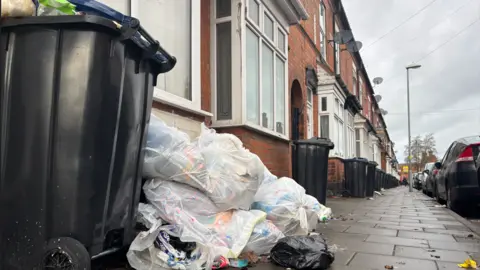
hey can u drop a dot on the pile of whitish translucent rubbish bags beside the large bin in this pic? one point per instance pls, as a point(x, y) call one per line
point(211, 200)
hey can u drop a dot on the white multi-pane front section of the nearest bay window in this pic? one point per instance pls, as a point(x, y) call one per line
point(265, 69)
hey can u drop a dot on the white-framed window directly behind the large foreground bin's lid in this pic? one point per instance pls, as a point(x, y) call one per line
point(176, 24)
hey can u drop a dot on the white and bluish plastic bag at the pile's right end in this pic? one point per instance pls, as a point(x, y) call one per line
point(285, 203)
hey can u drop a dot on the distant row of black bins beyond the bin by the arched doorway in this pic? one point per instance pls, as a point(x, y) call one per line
point(362, 178)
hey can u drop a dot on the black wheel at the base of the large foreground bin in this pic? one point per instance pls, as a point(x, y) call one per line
point(65, 253)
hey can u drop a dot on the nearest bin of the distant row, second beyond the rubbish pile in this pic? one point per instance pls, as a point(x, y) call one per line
point(355, 176)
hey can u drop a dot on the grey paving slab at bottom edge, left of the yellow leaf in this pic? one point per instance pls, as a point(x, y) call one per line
point(378, 262)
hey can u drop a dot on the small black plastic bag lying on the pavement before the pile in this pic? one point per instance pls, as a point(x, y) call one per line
point(302, 252)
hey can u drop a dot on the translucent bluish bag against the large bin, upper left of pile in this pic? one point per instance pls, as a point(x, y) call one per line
point(170, 155)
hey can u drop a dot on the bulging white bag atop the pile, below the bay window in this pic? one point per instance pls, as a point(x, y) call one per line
point(235, 173)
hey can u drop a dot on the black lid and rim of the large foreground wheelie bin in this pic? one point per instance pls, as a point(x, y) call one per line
point(162, 61)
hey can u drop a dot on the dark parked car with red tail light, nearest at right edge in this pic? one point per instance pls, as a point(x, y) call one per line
point(457, 183)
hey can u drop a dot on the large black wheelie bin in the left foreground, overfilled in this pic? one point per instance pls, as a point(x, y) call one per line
point(75, 101)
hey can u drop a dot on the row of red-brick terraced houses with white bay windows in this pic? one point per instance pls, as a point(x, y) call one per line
point(267, 71)
